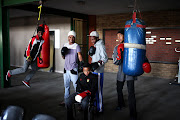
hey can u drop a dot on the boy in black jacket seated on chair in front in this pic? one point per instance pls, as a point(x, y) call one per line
point(86, 83)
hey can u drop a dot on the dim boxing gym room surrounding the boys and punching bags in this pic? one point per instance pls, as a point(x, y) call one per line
point(157, 93)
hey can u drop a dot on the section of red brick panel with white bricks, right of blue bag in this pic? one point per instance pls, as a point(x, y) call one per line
point(161, 44)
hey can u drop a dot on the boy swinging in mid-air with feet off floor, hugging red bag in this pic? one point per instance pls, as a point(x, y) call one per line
point(30, 57)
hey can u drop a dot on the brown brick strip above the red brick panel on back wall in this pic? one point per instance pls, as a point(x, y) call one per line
point(169, 18)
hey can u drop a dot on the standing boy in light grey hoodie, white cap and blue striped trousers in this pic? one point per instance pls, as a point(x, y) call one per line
point(99, 57)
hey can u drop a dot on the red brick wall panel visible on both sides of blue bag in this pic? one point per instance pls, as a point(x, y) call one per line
point(160, 44)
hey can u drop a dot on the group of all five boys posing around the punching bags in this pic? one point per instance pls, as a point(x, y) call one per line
point(91, 79)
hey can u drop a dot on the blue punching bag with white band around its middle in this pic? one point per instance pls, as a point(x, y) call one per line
point(134, 47)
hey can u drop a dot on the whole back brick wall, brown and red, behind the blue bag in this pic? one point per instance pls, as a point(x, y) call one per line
point(158, 19)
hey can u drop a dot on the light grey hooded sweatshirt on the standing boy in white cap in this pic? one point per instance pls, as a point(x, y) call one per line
point(100, 54)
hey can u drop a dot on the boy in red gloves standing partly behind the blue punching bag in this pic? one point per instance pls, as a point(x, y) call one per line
point(121, 78)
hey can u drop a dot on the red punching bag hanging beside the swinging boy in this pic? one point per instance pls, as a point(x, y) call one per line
point(43, 61)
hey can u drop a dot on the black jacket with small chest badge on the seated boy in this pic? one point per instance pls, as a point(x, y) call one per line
point(89, 82)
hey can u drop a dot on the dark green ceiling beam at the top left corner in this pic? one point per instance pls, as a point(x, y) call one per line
point(16, 2)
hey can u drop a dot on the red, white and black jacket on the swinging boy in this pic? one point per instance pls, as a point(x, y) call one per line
point(34, 48)
